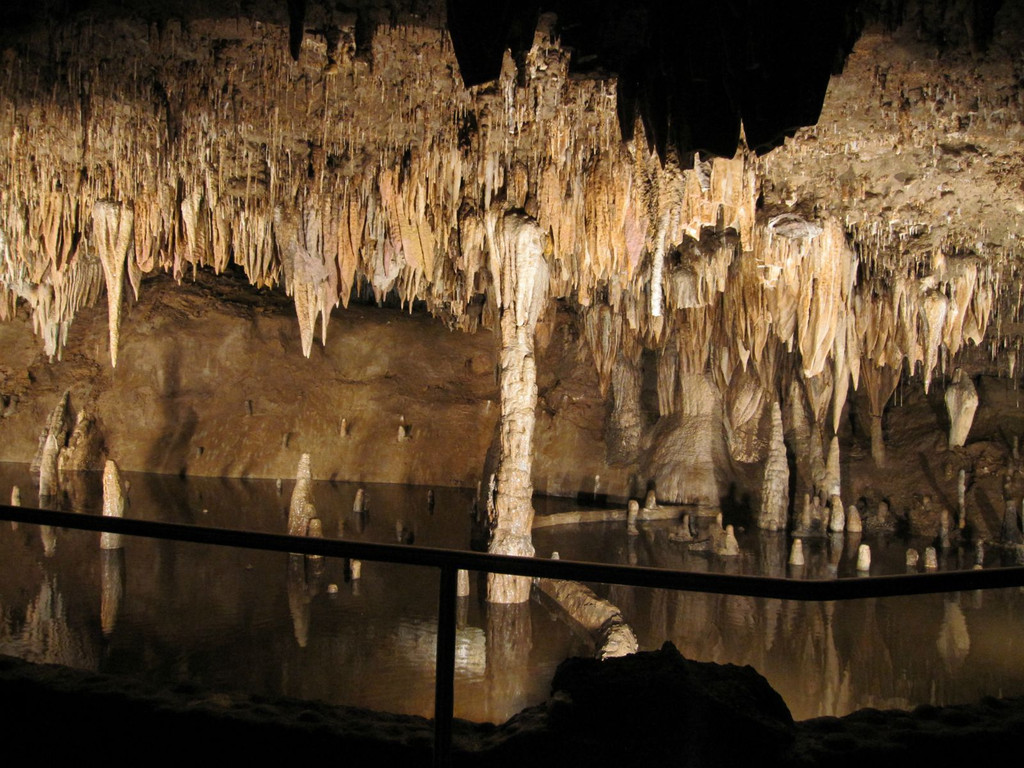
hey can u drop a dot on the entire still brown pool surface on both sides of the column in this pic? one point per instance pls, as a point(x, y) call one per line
point(268, 623)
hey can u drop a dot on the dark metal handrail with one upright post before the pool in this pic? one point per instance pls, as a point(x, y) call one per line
point(451, 562)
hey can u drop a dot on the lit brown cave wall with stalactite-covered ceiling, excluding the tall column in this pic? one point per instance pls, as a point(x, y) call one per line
point(351, 160)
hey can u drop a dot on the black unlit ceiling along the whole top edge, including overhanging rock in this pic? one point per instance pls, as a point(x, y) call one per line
point(695, 72)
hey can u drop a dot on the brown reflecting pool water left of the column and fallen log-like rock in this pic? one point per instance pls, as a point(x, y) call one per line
point(362, 634)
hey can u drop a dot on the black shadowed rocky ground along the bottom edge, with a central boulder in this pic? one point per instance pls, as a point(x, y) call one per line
point(652, 709)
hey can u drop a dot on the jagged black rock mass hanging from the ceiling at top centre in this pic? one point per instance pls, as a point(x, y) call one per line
point(693, 71)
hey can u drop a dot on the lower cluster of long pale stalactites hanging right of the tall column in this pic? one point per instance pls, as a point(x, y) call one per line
point(791, 305)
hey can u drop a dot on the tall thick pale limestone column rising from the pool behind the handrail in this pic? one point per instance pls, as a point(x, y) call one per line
point(517, 245)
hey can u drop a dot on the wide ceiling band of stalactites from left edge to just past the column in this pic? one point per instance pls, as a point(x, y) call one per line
point(280, 175)
